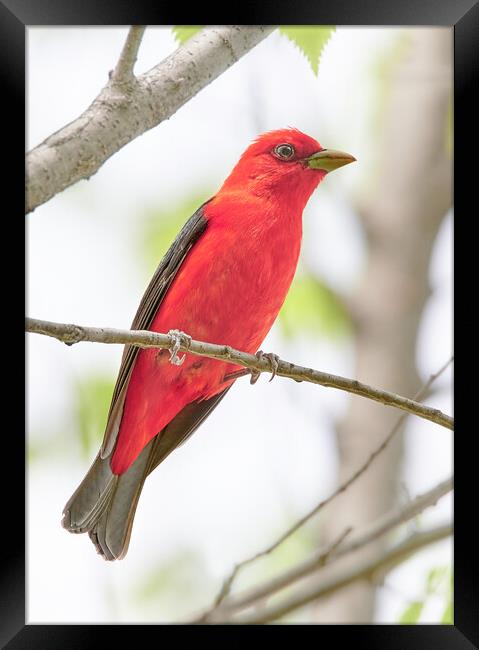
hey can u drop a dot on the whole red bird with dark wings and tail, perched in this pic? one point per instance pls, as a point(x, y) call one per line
point(223, 280)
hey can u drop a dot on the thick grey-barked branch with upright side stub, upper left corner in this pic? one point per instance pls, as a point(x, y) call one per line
point(121, 112)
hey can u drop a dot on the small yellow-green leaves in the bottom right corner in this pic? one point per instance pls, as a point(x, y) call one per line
point(438, 584)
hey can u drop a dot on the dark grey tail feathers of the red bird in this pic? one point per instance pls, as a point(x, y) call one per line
point(104, 504)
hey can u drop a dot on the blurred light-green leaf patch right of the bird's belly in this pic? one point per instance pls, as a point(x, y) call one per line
point(312, 307)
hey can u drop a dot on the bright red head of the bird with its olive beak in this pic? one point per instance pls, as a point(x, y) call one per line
point(284, 164)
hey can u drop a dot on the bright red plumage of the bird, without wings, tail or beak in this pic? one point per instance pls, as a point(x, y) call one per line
point(229, 288)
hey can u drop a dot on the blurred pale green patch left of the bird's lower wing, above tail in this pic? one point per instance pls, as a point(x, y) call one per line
point(94, 394)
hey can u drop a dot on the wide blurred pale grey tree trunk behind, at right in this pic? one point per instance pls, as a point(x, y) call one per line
point(401, 221)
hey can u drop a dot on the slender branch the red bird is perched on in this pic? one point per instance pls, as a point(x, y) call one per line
point(71, 334)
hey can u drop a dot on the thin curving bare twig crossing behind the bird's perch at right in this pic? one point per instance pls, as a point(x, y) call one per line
point(226, 586)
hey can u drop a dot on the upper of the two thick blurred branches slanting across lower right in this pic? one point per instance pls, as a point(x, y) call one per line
point(383, 525)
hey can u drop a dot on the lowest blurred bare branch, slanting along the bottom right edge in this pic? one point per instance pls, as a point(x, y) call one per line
point(367, 569)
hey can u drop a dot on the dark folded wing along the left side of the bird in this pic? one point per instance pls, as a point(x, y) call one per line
point(154, 294)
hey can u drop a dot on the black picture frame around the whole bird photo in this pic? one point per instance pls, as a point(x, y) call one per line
point(15, 17)
